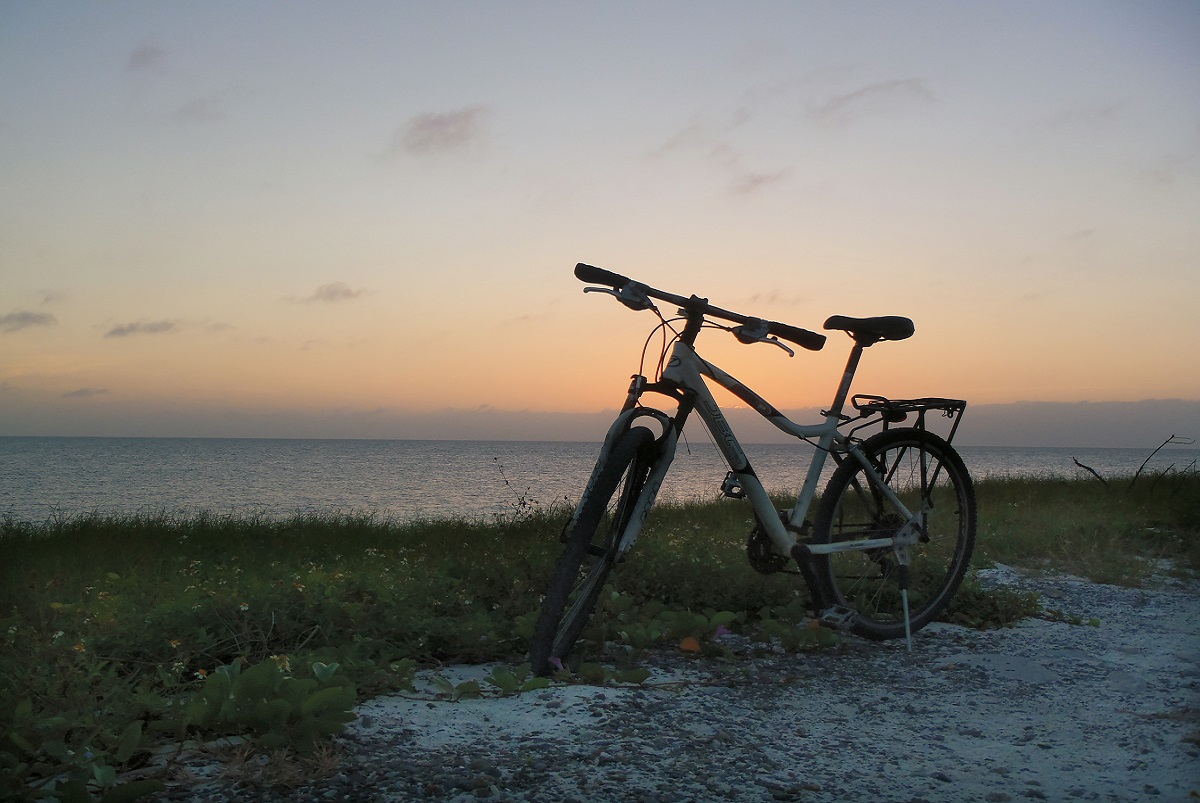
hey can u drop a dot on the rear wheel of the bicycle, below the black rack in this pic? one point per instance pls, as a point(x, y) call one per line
point(868, 582)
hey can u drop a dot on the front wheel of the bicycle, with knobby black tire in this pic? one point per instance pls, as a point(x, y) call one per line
point(591, 550)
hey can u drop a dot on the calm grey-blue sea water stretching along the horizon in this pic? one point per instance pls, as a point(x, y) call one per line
point(41, 478)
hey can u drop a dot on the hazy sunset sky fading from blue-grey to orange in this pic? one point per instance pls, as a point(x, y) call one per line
point(267, 219)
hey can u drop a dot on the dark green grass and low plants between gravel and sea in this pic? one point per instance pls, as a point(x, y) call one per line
point(118, 634)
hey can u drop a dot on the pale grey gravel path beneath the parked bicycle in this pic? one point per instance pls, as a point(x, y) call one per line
point(1046, 711)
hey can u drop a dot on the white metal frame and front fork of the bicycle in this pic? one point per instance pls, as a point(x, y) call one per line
point(683, 380)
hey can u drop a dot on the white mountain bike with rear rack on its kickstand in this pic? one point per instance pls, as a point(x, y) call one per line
point(893, 531)
